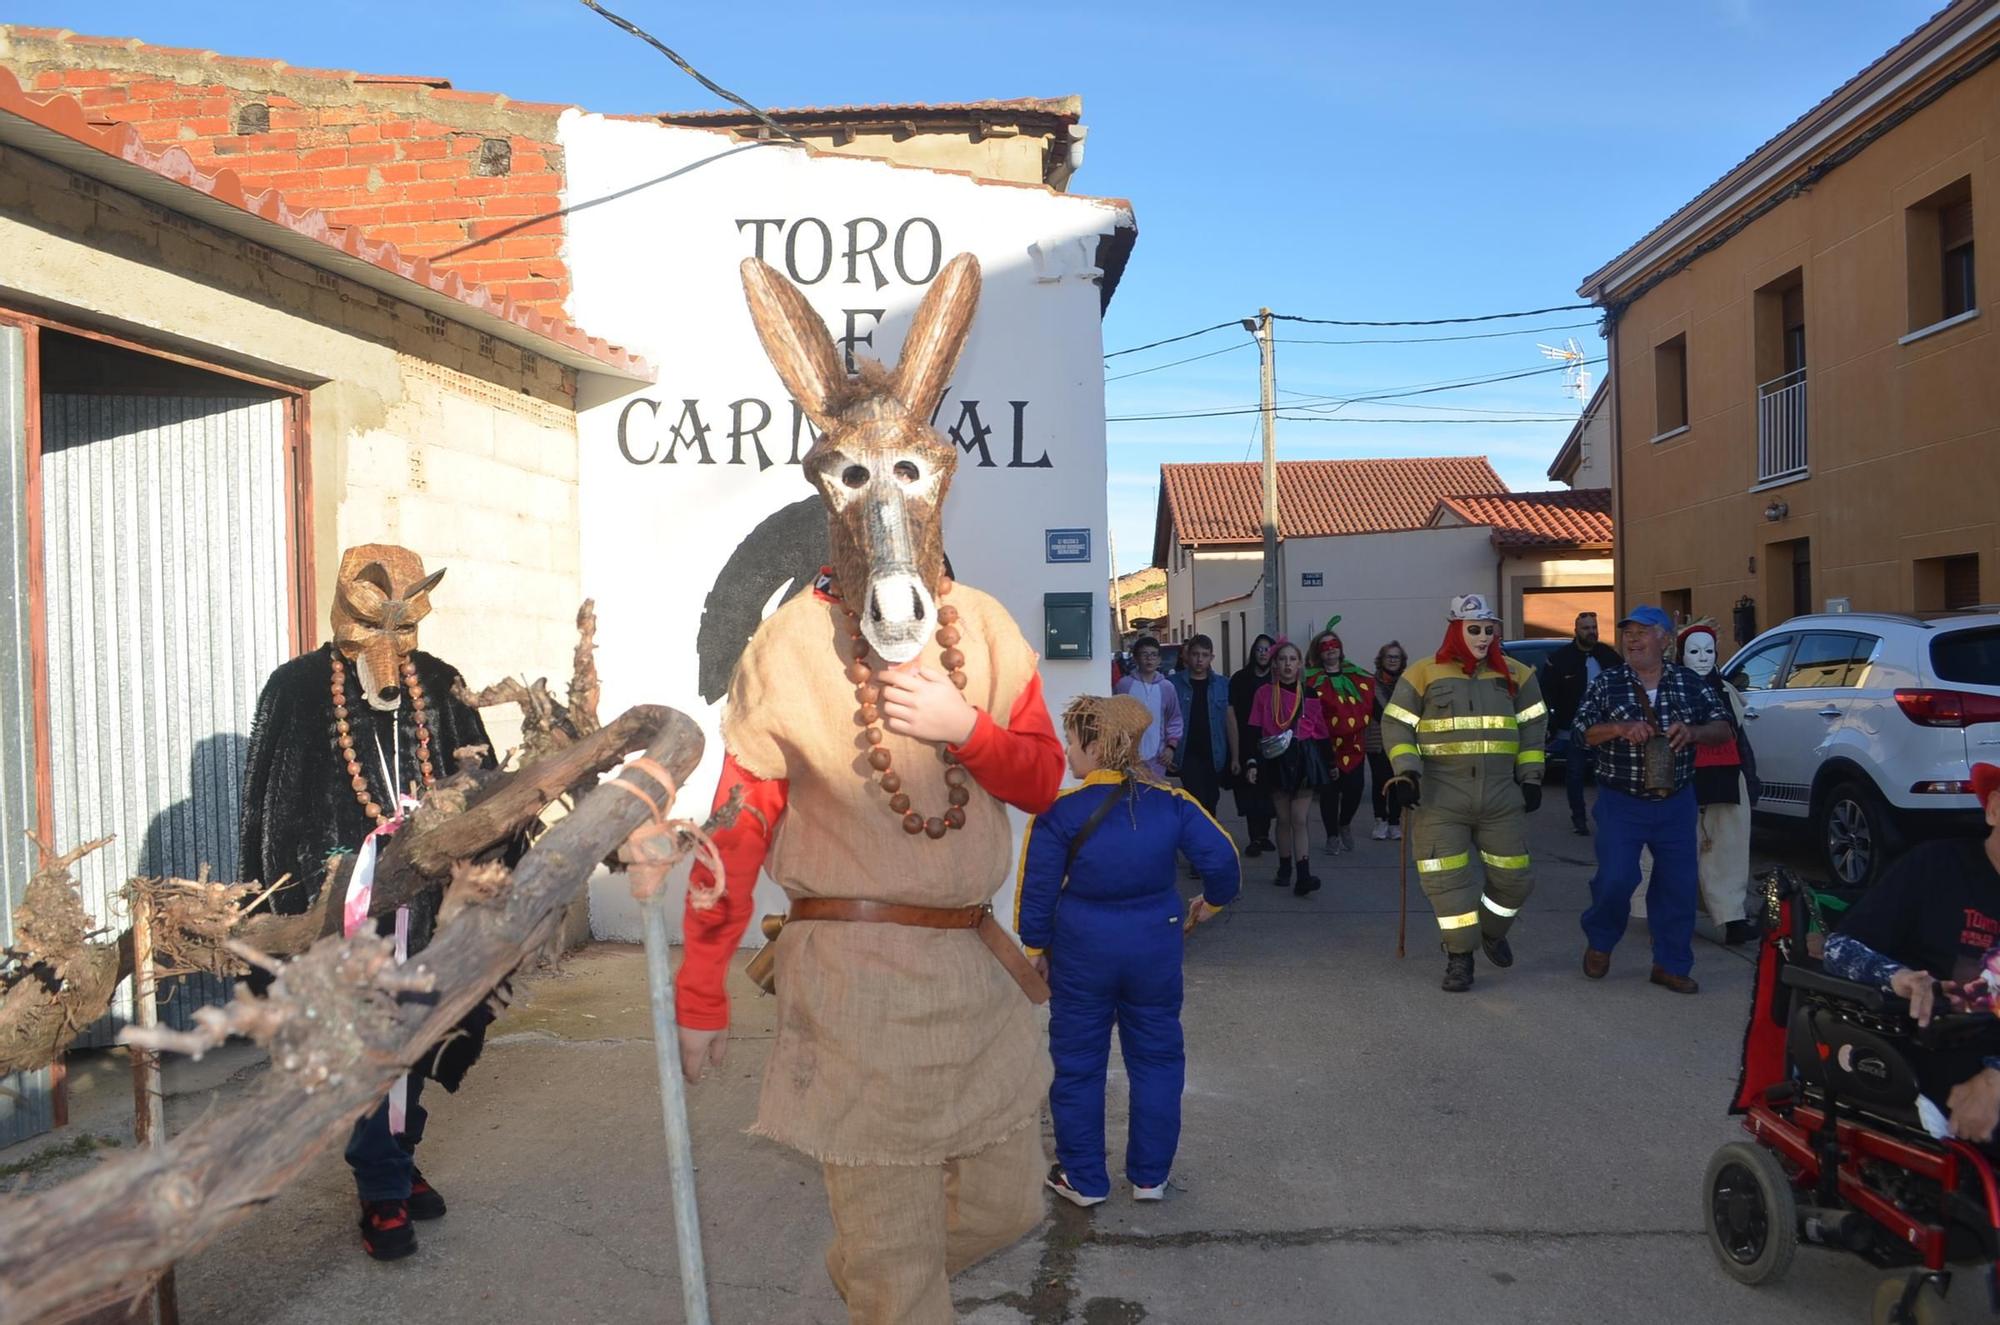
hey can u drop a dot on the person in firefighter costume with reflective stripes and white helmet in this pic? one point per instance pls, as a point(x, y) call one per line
point(1465, 740)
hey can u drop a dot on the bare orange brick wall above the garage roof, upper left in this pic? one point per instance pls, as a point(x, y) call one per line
point(469, 181)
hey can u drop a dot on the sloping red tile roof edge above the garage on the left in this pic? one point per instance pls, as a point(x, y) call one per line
point(65, 117)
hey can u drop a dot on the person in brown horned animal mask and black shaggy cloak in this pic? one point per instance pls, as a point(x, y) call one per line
point(347, 740)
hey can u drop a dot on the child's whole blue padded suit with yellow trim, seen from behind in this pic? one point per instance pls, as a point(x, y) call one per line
point(1115, 942)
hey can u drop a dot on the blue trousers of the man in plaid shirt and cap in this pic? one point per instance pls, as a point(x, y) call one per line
point(1669, 830)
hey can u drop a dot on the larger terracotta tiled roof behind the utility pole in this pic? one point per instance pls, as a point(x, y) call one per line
point(1225, 503)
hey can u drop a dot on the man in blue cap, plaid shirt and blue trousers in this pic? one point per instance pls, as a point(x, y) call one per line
point(1625, 710)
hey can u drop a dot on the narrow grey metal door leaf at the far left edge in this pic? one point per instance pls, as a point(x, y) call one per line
point(25, 1098)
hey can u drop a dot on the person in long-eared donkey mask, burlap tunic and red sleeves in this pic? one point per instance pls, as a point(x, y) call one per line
point(877, 732)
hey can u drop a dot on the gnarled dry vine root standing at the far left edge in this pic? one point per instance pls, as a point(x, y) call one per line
point(57, 976)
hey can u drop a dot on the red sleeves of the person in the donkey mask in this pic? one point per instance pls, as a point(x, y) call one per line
point(1019, 764)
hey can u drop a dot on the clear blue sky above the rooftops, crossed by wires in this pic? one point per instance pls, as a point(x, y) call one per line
point(1331, 159)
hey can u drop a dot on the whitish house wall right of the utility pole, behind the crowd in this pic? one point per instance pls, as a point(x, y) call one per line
point(1387, 585)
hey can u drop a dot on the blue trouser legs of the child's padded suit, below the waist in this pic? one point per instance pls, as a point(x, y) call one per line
point(1117, 964)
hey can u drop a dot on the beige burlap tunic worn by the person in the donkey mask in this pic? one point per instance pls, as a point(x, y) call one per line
point(897, 1046)
